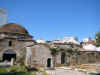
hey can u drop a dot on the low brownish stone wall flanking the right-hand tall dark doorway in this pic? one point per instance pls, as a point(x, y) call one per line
point(85, 57)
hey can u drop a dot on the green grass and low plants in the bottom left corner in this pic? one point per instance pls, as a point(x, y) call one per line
point(16, 70)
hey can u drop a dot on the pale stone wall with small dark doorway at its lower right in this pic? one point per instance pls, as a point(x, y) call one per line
point(40, 55)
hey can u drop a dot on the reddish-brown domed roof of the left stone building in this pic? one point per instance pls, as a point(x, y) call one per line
point(13, 28)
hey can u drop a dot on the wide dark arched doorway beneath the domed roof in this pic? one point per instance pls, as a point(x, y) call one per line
point(8, 55)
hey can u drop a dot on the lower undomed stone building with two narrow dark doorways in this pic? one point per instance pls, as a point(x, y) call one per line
point(43, 56)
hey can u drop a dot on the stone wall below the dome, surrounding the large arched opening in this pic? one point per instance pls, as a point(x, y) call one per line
point(17, 46)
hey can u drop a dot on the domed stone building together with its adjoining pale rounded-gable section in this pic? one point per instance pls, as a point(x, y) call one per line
point(17, 43)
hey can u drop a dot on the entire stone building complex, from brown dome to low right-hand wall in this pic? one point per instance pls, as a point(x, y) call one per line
point(17, 43)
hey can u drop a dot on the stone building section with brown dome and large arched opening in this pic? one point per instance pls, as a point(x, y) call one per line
point(13, 40)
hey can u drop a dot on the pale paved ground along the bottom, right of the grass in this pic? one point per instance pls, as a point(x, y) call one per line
point(60, 71)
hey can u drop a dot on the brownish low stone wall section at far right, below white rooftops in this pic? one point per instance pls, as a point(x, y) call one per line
point(87, 57)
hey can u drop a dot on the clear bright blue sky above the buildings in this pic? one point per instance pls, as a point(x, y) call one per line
point(52, 19)
